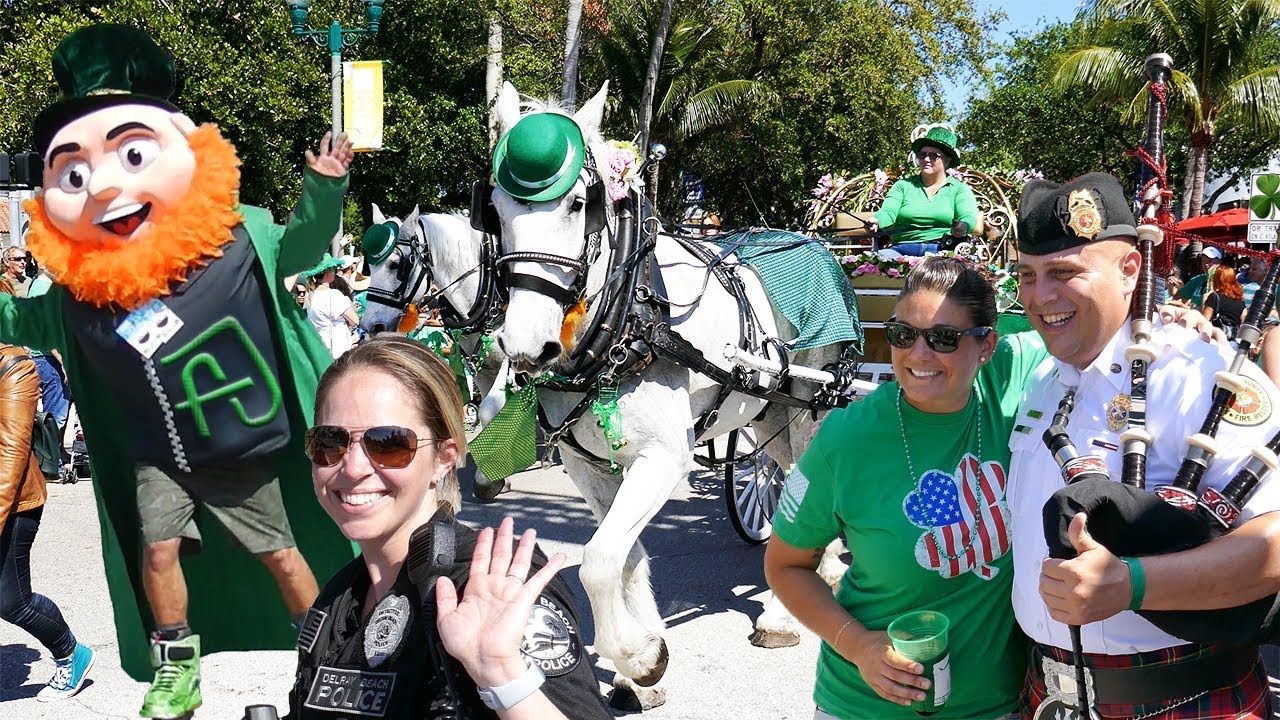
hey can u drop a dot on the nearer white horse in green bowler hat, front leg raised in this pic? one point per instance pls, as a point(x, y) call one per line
point(659, 405)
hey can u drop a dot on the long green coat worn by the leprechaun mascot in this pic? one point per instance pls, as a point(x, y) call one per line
point(235, 603)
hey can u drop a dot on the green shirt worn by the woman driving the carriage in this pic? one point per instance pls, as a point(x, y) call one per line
point(915, 217)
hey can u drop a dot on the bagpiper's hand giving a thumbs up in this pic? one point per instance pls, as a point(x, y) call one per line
point(1090, 587)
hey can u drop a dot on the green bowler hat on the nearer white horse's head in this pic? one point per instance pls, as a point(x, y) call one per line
point(541, 158)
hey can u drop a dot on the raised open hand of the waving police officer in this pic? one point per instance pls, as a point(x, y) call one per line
point(486, 630)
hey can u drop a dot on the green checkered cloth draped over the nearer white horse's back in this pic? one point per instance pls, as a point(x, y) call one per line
point(806, 284)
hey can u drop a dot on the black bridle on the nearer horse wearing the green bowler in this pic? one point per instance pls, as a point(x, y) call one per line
point(596, 224)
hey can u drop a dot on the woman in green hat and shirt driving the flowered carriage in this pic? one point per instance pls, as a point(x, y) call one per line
point(924, 209)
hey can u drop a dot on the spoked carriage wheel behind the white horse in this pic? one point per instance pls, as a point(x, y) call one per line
point(752, 489)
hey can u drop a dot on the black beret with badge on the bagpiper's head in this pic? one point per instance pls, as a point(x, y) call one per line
point(1054, 217)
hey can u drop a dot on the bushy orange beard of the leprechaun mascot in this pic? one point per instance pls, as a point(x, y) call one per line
point(131, 272)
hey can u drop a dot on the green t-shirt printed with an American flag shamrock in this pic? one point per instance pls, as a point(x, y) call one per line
point(936, 541)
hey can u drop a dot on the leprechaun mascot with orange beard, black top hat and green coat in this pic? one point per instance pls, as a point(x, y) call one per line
point(194, 370)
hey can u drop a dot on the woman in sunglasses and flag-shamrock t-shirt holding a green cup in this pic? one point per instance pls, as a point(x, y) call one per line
point(915, 479)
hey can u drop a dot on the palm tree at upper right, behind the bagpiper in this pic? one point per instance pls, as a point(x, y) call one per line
point(1224, 67)
